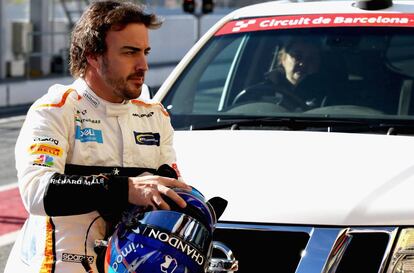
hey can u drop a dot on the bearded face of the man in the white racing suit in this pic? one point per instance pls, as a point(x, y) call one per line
point(122, 68)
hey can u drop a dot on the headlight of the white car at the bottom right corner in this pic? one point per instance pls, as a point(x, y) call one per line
point(402, 260)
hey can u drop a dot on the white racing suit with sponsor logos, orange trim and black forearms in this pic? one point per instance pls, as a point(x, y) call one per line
point(70, 137)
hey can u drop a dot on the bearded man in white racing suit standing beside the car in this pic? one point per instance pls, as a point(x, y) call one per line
point(89, 149)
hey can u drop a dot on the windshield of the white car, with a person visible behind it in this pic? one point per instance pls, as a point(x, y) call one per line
point(350, 76)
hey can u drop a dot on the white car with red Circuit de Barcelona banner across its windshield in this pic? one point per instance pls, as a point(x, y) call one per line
point(320, 179)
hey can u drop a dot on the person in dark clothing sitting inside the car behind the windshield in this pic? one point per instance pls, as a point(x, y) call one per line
point(299, 81)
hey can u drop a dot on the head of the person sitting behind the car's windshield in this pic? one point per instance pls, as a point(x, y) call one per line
point(301, 60)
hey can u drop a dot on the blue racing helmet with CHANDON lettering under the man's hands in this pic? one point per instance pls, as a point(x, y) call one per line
point(165, 241)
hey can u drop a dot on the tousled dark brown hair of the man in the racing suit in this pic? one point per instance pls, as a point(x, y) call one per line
point(89, 33)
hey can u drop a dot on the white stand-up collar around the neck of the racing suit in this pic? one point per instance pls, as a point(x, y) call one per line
point(111, 109)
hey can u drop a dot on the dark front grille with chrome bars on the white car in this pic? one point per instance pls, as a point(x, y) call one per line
point(303, 249)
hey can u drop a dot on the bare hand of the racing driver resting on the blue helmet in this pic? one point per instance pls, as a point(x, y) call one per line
point(147, 191)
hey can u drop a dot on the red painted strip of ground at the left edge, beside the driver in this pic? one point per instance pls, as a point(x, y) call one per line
point(12, 211)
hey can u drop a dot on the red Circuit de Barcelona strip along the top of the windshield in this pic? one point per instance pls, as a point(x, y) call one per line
point(318, 20)
